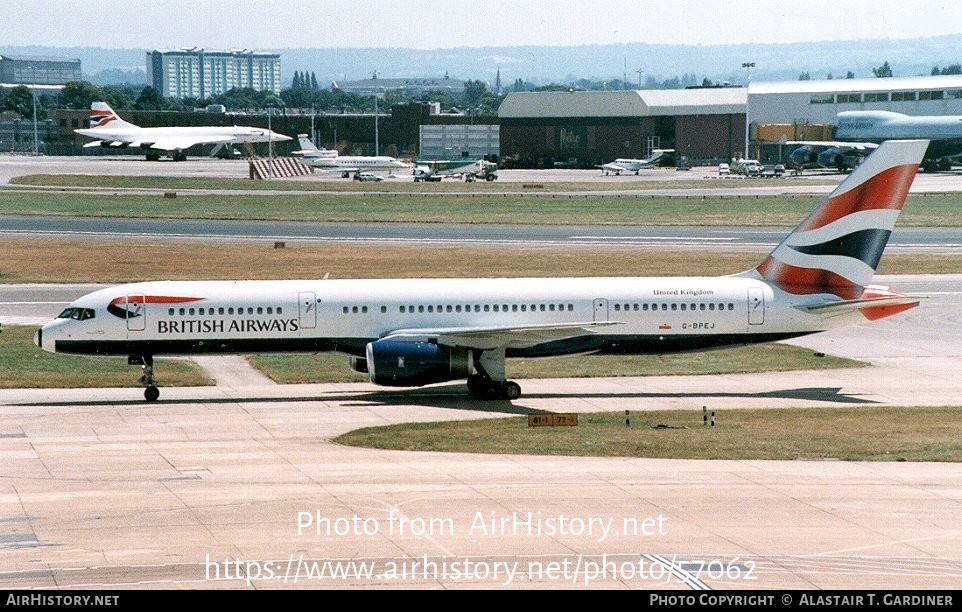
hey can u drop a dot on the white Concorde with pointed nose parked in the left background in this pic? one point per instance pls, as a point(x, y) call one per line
point(112, 131)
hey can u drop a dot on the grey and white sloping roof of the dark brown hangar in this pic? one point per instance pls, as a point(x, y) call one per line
point(639, 103)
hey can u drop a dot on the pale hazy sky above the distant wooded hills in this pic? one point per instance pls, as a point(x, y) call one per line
point(438, 24)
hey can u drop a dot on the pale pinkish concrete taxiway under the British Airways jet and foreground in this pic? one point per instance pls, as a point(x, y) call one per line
point(241, 486)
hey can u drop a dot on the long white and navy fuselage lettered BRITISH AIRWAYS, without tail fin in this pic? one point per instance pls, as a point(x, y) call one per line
point(642, 315)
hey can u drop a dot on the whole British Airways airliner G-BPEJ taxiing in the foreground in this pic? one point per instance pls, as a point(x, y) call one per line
point(415, 332)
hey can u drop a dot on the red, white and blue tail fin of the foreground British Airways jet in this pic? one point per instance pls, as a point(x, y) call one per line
point(837, 248)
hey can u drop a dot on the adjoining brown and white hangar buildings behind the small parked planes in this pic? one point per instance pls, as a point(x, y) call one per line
point(705, 124)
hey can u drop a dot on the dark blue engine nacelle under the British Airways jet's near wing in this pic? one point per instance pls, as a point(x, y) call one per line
point(413, 364)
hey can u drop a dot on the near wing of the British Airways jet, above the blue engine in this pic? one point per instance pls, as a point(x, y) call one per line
point(498, 336)
